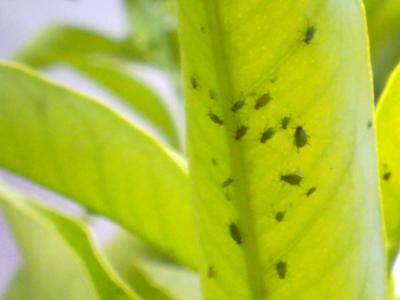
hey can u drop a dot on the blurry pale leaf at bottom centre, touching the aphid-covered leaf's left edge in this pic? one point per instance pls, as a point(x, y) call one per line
point(134, 262)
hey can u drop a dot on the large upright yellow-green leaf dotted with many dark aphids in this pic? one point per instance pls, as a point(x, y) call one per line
point(279, 101)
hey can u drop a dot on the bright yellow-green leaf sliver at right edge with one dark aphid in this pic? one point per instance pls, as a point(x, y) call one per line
point(387, 123)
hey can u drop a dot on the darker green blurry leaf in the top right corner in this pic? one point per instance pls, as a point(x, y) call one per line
point(384, 33)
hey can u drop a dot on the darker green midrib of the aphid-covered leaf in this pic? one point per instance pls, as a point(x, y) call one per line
point(236, 161)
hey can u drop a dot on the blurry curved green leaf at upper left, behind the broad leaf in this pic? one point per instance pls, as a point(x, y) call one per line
point(92, 54)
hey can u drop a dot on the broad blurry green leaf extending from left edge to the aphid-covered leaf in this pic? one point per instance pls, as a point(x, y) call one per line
point(83, 150)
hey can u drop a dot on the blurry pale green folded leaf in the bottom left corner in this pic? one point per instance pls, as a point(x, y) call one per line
point(57, 251)
